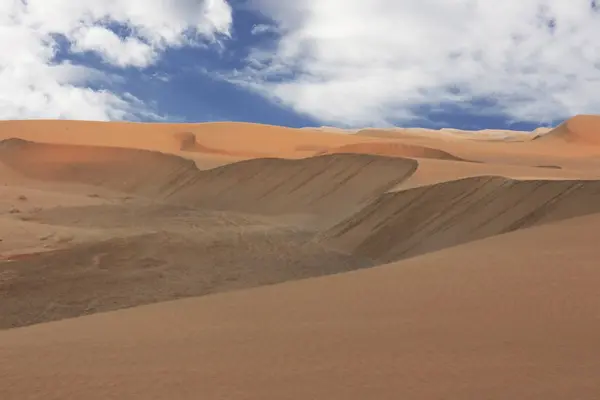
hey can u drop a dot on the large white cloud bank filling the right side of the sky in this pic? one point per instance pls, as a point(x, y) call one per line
point(377, 62)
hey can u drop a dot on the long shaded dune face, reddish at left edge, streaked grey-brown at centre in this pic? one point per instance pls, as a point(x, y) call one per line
point(330, 185)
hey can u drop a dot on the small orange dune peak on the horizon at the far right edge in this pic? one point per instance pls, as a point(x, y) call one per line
point(581, 129)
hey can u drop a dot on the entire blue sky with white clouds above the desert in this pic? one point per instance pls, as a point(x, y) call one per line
point(468, 64)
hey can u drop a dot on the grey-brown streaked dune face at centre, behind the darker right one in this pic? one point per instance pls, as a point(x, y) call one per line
point(329, 186)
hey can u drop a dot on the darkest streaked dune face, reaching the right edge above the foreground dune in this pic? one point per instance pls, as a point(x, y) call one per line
point(420, 220)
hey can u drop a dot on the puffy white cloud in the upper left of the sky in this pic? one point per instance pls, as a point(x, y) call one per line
point(123, 33)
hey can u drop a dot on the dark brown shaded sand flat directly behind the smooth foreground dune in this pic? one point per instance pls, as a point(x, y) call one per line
point(149, 268)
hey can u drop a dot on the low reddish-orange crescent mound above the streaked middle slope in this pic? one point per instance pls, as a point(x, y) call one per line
point(395, 149)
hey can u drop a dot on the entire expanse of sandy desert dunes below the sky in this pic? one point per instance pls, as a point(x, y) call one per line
point(241, 261)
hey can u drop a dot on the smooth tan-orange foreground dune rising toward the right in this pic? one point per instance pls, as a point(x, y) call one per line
point(510, 317)
